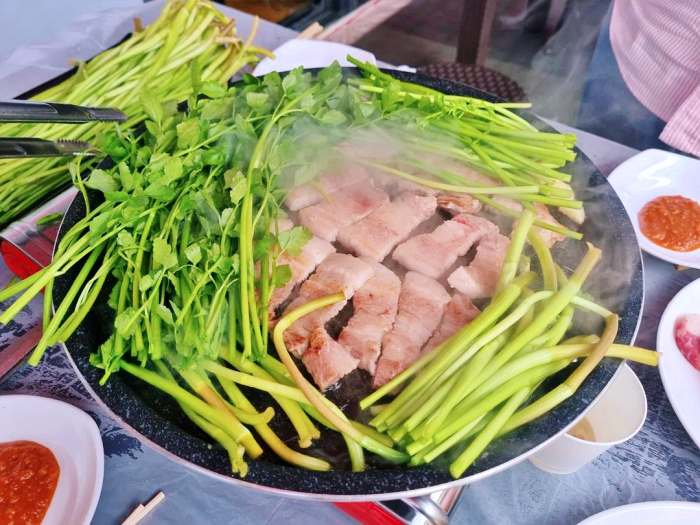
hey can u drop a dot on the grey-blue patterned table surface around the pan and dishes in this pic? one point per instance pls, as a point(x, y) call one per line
point(659, 463)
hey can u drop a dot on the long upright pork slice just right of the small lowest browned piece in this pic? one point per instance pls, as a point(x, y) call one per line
point(375, 306)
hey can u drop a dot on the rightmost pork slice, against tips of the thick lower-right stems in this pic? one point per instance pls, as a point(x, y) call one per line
point(478, 280)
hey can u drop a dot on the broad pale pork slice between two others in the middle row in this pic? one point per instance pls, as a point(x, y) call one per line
point(377, 234)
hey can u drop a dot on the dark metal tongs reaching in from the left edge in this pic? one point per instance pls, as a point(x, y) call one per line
point(30, 111)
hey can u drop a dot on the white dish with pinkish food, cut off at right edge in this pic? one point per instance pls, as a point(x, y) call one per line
point(681, 380)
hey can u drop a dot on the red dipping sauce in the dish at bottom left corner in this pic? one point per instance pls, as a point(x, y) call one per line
point(28, 478)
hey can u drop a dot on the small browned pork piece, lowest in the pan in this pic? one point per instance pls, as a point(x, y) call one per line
point(326, 360)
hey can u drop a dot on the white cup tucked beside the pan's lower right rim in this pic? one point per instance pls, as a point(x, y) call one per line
point(614, 418)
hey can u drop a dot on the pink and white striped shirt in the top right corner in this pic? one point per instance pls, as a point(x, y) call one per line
point(657, 47)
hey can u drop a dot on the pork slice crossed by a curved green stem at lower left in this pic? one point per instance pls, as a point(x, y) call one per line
point(338, 272)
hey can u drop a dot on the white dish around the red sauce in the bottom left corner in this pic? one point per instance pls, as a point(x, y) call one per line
point(74, 439)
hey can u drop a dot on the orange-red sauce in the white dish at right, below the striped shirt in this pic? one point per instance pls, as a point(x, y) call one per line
point(672, 222)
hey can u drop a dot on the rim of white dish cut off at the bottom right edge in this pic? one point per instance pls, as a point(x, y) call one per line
point(649, 513)
